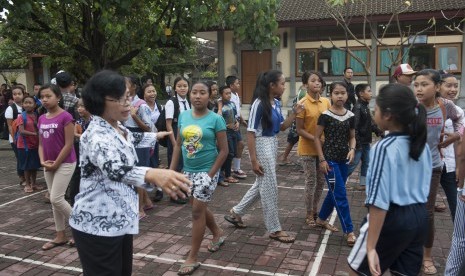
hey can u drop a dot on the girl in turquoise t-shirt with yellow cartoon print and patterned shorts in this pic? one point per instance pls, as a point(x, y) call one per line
point(202, 141)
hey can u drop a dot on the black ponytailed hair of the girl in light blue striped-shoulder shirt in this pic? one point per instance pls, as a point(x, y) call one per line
point(399, 101)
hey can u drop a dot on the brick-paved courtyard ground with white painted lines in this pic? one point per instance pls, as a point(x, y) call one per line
point(164, 241)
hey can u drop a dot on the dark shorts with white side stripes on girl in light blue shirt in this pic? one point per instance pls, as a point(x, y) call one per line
point(400, 243)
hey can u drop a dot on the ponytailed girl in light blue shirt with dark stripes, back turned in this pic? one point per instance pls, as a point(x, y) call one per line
point(398, 179)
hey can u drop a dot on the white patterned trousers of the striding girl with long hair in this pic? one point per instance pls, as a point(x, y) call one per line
point(266, 186)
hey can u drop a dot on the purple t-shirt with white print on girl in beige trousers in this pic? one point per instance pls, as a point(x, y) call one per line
point(52, 133)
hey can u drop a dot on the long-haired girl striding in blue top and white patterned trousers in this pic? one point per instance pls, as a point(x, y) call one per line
point(265, 121)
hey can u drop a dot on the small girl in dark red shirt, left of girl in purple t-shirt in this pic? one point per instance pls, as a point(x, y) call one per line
point(27, 143)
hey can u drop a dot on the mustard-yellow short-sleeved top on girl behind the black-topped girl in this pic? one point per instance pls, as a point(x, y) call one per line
point(312, 110)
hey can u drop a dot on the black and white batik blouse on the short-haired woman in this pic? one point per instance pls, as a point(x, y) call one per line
point(107, 203)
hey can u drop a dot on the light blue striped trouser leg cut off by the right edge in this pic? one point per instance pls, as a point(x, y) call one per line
point(457, 251)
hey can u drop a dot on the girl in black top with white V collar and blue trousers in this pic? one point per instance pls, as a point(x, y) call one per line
point(337, 124)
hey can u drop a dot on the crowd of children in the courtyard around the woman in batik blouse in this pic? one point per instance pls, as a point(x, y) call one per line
point(205, 142)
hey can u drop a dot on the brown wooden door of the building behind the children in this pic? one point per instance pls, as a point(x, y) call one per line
point(253, 63)
